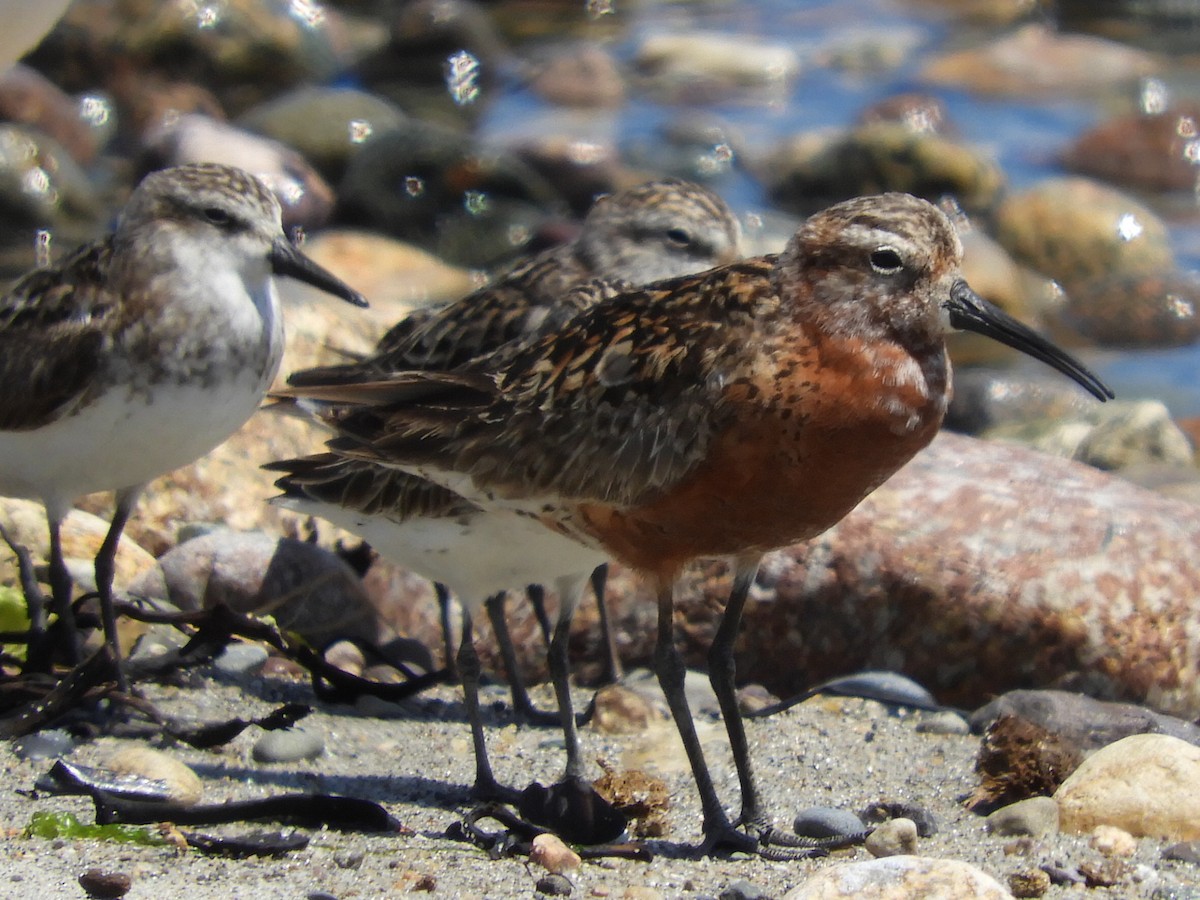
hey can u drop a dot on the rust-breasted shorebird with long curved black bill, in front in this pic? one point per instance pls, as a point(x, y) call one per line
point(723, 415)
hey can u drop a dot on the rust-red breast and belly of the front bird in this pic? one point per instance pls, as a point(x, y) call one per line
point(806, 447)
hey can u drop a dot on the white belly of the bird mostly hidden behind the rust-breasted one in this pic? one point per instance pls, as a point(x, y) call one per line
point(475, 556)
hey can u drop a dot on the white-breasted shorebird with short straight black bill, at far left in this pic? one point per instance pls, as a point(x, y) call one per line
point(140, 353)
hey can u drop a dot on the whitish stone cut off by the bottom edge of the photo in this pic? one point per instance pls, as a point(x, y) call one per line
point(901, 878)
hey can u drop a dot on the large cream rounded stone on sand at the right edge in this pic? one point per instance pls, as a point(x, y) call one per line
point(1147, 784)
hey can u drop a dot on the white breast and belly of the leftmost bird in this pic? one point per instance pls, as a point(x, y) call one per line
point(223, 347)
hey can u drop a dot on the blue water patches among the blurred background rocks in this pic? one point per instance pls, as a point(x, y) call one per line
point(1024, 135)
